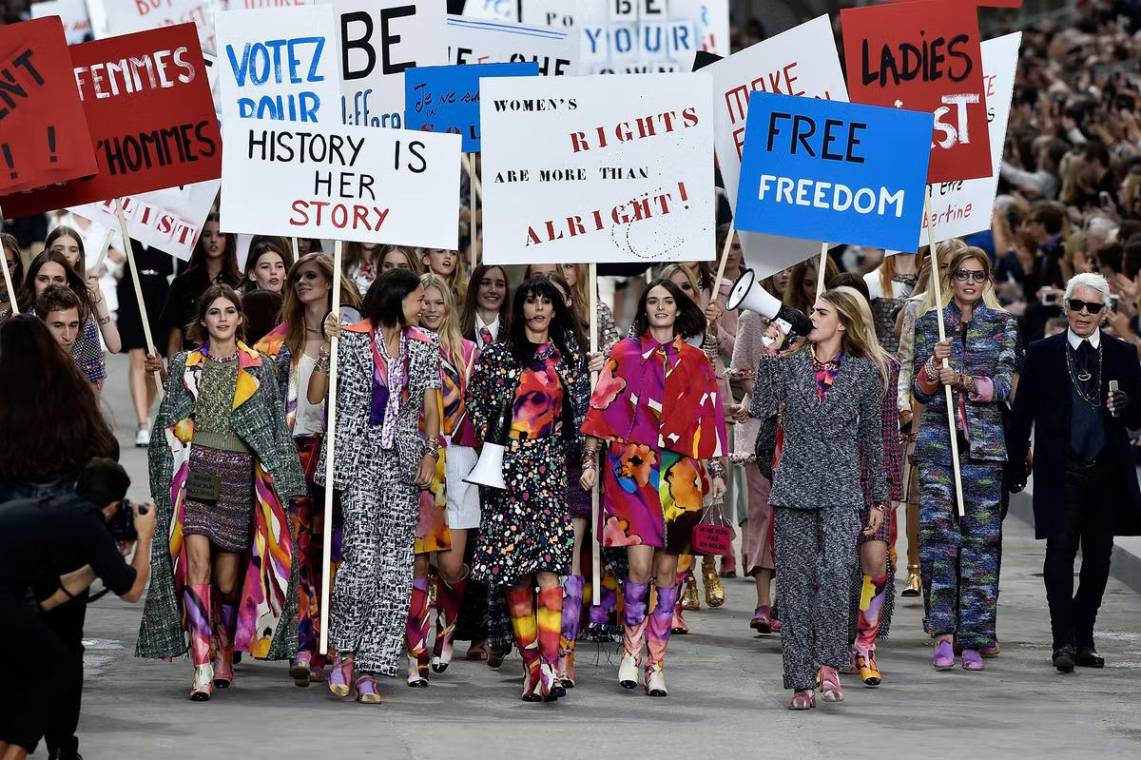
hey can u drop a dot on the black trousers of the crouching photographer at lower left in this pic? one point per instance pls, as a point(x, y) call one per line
point(67, 622)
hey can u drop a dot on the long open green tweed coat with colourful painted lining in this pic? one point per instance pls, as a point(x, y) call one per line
point(268, 626)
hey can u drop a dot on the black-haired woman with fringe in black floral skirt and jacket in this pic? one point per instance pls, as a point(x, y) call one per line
point(524, 394)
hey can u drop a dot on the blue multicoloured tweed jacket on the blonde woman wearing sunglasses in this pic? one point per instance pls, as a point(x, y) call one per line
point(989, 350)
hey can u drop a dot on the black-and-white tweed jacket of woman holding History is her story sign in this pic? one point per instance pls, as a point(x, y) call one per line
point(359, 443)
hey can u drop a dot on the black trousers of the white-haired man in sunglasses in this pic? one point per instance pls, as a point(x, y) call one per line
point(1088, 523)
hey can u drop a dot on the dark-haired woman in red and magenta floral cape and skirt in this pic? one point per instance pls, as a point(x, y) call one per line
point(659, 408)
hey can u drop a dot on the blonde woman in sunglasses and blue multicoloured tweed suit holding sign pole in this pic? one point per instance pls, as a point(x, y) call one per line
point(959, 555)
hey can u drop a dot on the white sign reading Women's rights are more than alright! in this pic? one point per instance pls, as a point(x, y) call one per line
point(608, 169)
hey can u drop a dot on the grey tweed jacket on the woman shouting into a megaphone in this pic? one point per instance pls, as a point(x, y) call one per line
point(827, 444)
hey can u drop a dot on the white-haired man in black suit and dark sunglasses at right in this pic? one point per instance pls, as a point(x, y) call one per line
point(1081, 391)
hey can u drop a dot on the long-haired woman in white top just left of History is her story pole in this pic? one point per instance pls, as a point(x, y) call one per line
point(300, 347)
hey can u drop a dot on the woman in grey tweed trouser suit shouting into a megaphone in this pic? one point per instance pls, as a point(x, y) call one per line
point(829, 397)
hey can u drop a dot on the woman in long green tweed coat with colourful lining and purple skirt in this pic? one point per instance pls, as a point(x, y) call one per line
point(222, 473)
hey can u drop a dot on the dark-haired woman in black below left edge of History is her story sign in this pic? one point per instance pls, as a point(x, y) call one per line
point(213, 263)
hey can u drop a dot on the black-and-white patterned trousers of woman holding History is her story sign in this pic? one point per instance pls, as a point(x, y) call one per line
point(374, 587)
